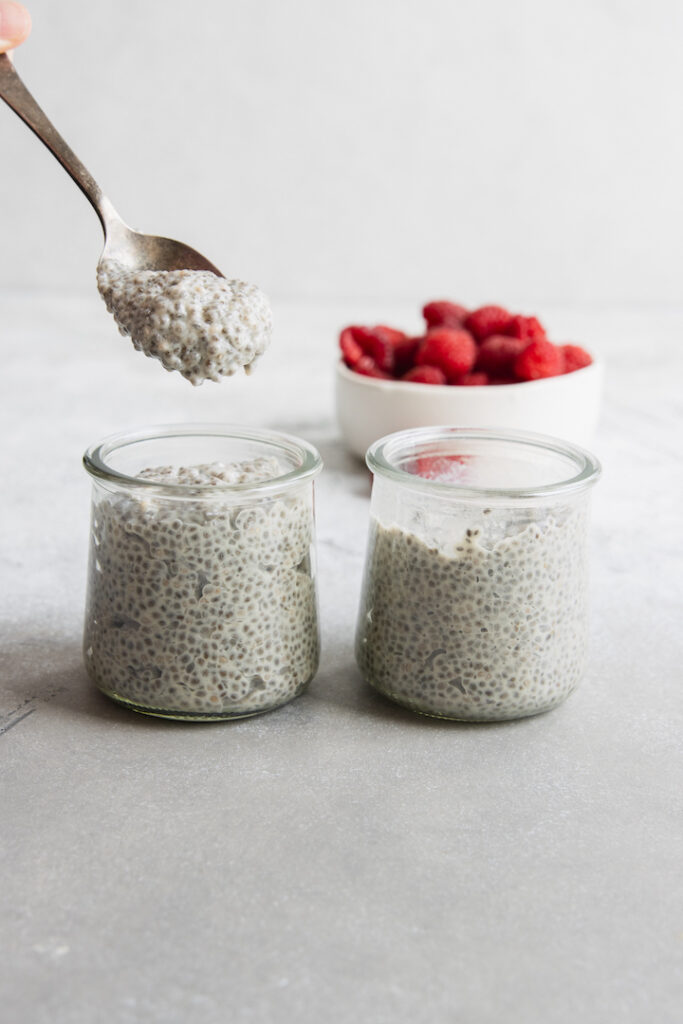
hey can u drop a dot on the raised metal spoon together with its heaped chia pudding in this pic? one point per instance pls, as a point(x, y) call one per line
point(175, 305)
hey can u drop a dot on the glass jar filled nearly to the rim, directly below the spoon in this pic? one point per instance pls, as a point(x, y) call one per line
point(202, 602)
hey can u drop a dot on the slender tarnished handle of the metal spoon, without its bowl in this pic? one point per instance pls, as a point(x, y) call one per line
point(16, 95)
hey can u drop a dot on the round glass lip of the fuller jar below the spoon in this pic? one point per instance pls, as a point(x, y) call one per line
point(97, 456)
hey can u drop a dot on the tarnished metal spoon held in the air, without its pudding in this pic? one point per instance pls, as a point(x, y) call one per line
point(135, 250)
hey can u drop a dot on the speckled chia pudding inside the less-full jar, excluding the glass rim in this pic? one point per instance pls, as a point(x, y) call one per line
point(477, 629)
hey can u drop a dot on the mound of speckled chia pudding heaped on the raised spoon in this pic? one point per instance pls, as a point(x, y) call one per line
point(195, 322)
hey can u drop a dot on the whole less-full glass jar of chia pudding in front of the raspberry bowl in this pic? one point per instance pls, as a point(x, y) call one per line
point(475, 598)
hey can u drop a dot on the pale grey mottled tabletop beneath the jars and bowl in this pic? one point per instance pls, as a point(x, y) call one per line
point(339, 860)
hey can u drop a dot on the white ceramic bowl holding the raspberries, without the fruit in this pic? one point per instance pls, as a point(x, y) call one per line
point(566, 407)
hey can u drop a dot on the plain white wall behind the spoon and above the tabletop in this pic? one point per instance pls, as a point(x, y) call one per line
point(527, 152)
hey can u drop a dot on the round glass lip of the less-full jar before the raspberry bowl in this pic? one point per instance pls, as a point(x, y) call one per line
point(379, 460)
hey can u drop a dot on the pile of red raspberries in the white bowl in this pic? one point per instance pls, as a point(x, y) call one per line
point(486, 347)
